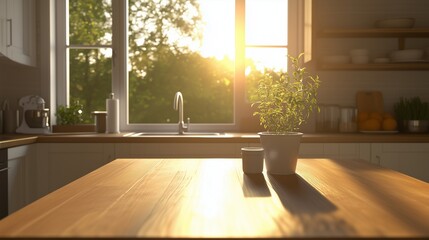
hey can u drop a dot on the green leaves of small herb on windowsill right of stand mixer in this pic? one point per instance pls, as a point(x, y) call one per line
point(70, 115)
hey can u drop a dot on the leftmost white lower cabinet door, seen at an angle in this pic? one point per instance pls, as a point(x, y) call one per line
point(21, 176)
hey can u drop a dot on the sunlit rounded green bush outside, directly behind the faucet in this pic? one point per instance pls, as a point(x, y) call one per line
point(206, 84)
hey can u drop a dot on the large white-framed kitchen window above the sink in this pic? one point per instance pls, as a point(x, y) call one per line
point(146, 51)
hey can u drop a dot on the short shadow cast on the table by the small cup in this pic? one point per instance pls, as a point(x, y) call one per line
point(254, 185)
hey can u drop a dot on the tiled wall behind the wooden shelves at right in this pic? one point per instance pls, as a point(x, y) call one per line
point(340, 87)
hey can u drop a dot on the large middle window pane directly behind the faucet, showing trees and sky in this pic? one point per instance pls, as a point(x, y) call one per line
point(181, 46)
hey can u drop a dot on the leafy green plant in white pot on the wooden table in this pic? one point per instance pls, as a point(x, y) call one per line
point(284, 101)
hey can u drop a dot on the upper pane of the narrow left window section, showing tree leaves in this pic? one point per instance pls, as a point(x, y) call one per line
point(90, 22)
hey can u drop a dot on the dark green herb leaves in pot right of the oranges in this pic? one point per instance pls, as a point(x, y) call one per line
point(411, 109)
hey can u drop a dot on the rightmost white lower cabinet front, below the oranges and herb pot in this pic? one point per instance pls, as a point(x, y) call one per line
point(409, 158)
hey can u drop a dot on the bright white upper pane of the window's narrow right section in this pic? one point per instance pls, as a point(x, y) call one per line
point(266, 22)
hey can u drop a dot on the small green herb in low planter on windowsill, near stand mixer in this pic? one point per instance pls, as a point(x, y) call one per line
point(70, 119)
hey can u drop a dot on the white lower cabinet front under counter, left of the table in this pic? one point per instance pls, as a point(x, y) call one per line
point(62, 163)
